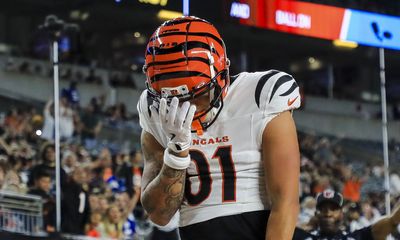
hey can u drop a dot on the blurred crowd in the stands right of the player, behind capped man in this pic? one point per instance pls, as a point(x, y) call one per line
point(325, 166)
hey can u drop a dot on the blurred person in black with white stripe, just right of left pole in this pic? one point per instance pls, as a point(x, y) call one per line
point(75, 203)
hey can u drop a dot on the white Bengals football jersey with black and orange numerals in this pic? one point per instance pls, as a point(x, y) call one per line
point(226, 173)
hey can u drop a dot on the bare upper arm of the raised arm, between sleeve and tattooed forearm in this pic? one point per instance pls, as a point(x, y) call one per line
point(153, 154)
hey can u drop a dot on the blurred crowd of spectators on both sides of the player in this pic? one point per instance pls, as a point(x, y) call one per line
point(100, 189)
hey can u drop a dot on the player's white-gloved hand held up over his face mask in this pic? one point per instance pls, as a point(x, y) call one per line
point(176, 122)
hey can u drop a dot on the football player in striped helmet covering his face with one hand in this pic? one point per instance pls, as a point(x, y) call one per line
point(220, 149)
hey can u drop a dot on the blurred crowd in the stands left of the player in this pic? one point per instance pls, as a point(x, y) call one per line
point(100, 187)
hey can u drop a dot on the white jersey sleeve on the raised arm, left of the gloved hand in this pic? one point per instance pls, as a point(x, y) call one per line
point(147, 122)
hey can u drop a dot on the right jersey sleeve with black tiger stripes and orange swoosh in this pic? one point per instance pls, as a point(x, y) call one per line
point(277, 92)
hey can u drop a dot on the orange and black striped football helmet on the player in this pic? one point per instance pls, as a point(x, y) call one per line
point(186, 58)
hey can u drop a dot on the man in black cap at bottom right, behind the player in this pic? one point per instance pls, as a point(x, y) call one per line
point(329, 216)
